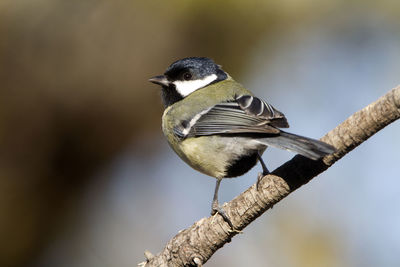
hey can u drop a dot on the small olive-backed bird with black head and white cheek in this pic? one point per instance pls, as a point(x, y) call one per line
point(219, 127)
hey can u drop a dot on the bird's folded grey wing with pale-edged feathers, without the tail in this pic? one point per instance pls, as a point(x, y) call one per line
point(245, 115)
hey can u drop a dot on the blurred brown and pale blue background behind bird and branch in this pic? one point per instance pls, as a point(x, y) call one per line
point(87, 179)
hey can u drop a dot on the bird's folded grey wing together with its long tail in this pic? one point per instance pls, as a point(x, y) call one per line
point(248, 115)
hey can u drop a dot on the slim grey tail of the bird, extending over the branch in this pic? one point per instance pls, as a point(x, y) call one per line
point(310, 148)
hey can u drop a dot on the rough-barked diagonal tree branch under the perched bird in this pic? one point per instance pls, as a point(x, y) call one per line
point(196, 244)
